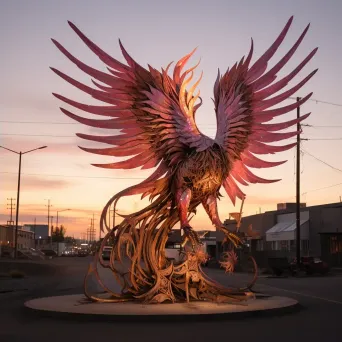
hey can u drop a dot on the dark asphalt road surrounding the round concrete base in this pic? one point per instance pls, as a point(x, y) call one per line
point(321, 298)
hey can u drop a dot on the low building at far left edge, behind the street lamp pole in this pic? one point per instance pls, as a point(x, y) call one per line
point(7, 237)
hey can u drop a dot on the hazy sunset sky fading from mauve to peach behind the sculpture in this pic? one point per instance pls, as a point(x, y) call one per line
point(155, 33)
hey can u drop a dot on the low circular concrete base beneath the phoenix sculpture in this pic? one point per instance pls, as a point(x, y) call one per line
point(75, 306)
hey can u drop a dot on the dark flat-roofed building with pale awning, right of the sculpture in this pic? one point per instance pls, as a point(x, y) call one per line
point(321, 232)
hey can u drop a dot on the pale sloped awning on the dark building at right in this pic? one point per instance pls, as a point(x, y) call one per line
point(287, 231)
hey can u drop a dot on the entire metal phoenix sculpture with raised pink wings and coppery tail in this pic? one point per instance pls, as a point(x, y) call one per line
point(155, 115)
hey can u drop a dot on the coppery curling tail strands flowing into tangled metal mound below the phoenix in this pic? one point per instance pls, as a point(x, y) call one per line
point(140, 240)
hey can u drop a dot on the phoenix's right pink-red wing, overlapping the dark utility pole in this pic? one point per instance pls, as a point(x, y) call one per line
point(241, 103)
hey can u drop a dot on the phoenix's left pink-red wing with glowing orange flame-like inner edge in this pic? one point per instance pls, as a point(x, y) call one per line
point(154, 112)
